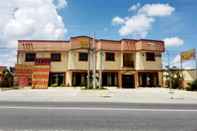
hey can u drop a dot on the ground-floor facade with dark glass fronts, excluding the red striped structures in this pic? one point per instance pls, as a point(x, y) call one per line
point(120, 79)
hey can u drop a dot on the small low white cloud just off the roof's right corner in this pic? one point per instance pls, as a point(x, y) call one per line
point(173, 41)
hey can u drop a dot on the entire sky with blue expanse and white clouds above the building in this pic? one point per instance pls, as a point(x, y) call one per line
point(172, 21)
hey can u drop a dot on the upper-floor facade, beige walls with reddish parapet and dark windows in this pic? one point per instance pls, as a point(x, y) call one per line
point(125, 54)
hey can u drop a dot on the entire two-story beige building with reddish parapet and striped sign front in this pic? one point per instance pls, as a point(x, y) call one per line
point(125, 63)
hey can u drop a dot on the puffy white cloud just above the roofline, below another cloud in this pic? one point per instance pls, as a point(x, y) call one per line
point(137, 25)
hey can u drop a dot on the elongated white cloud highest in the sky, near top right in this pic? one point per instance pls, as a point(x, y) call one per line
point(156, 9)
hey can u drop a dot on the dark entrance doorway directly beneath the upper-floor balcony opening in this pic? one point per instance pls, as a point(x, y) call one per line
point(128, 81)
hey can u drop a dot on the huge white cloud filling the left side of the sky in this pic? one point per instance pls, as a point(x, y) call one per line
point(29, 19)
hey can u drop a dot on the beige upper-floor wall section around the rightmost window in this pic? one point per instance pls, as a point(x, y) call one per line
point(142, 64)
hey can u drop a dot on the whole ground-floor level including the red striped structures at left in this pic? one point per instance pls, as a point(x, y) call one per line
point(41, 76)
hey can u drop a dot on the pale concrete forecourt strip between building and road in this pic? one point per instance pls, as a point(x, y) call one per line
point(139, 95)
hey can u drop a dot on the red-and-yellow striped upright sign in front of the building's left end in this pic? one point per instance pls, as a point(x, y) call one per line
point(40, 75)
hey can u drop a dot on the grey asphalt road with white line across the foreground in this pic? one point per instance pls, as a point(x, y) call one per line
point(97, 117)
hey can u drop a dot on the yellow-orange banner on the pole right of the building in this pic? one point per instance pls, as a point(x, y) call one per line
point(188, 55)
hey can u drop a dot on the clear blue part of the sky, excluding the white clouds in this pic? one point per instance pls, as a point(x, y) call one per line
point(86, 17)
